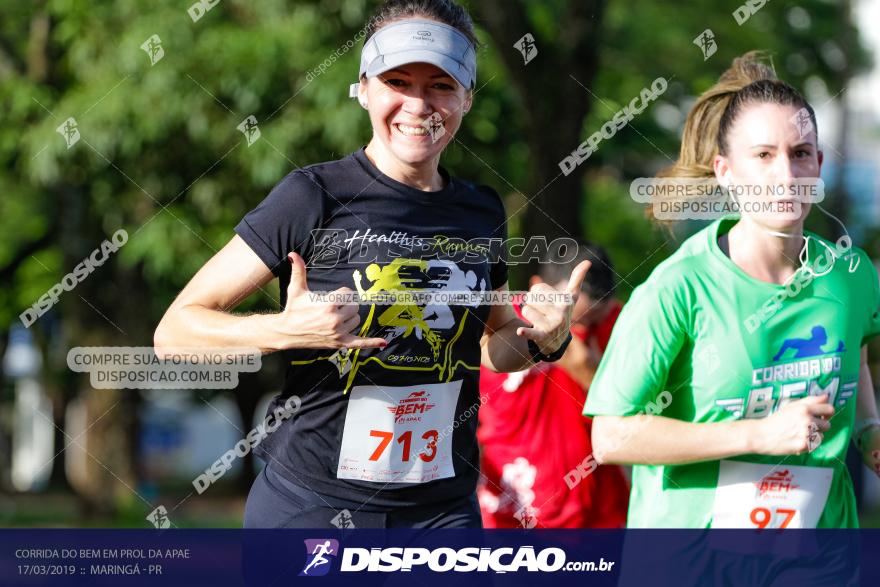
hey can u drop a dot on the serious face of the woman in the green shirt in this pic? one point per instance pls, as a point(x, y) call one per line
point(765, 146)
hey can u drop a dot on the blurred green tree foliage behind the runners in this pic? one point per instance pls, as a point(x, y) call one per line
point(160, 154)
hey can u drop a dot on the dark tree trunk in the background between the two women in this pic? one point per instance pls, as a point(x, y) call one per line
point(554, 104)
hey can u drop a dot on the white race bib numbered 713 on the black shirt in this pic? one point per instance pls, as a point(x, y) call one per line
point(399, 434)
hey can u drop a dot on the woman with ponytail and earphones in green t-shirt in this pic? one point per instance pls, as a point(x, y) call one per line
point(736, 376)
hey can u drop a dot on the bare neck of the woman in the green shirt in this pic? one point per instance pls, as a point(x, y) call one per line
point(769, 256)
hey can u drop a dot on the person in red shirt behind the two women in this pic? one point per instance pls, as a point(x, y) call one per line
point(536, 457)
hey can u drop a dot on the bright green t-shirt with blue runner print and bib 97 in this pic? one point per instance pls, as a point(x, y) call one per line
point(727, 346)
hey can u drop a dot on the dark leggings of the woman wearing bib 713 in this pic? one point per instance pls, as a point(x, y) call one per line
point(274, 502)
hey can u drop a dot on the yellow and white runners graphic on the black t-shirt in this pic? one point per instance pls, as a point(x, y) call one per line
point(404, 319)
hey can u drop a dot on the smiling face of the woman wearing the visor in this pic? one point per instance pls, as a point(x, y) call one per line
point(400, 101)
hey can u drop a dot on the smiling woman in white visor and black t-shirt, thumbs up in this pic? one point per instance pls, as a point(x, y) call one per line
point(385, 436)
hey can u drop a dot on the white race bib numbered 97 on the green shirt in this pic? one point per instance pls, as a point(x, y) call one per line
point(751, 495)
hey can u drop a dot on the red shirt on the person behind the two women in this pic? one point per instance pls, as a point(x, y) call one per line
point(533, 438)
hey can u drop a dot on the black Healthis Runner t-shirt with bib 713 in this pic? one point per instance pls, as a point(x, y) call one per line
point(395, 426)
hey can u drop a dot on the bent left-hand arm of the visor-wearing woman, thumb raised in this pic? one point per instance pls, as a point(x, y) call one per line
point(200, 315)
